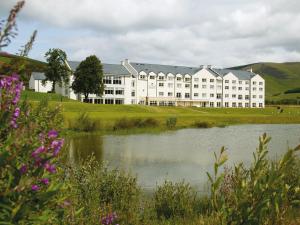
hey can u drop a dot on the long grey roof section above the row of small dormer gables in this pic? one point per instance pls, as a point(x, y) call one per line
point(157, 68)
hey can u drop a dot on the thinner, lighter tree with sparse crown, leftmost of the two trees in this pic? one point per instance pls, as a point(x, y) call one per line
point(57, 70)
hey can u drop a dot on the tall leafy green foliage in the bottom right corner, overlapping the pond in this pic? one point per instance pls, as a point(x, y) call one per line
point(262, 194)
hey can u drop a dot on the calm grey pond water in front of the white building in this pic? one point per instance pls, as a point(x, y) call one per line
point(184, 154)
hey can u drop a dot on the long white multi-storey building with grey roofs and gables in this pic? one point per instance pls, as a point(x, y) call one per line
point(165, 85)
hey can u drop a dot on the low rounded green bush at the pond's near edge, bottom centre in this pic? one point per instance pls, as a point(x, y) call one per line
point(173, 200)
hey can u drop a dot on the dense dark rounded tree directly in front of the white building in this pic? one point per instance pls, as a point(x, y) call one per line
point(88, 77)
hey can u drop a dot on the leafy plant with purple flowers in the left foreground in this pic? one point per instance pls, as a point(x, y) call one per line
point(29, 147)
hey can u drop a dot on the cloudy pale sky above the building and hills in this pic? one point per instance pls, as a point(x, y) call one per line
point(222, 33)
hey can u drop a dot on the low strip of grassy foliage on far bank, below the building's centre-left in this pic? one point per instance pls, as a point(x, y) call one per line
point(126, 123)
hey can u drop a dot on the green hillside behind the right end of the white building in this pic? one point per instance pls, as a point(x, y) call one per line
point(280, 77)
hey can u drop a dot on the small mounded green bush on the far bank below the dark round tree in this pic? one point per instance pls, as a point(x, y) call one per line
point(83, 123)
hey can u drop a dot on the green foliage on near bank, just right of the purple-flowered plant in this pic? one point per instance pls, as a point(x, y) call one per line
point(95, 190)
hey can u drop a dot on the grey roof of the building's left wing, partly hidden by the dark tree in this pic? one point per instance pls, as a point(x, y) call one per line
point(108, 69)
